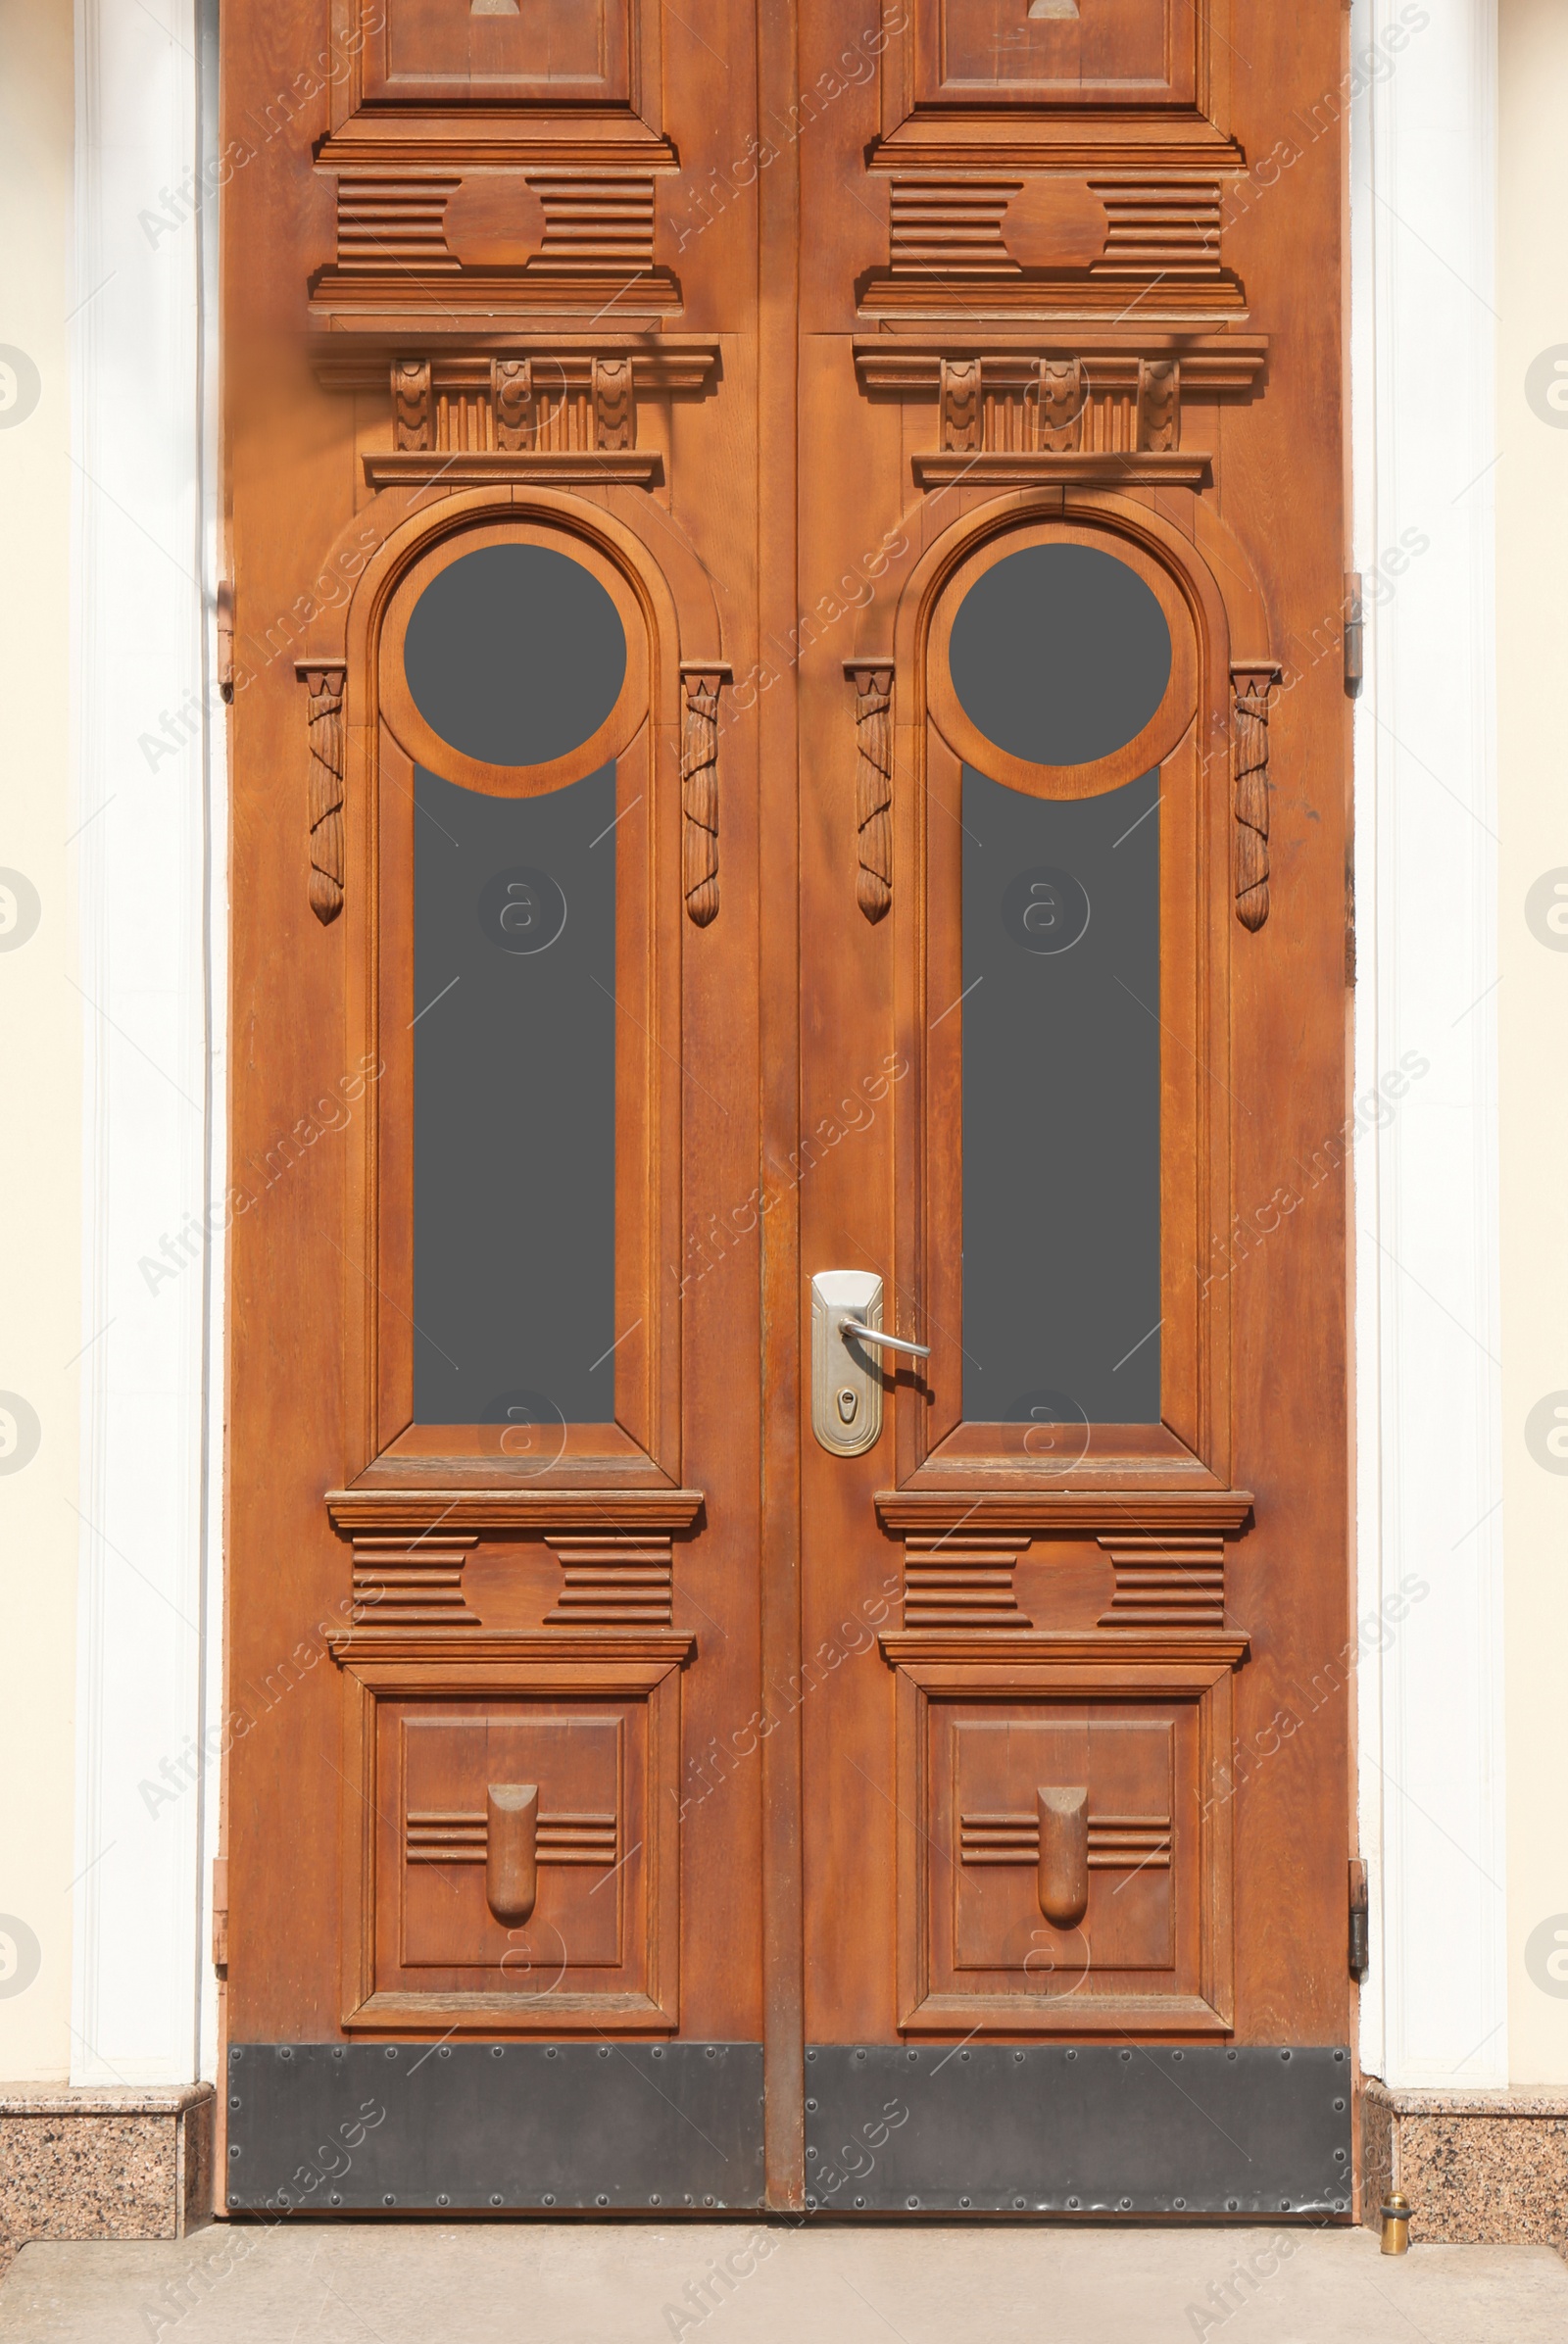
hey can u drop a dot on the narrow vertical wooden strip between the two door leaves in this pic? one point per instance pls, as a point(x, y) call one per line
point(779, 995)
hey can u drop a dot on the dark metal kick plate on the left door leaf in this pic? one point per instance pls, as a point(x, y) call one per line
point(524, 2127)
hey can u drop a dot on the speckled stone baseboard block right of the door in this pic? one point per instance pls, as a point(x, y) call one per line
point(1478, 2167)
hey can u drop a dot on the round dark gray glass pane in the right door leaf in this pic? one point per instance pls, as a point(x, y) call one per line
point(1061, 655)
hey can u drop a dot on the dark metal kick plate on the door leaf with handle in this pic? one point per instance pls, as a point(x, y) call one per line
point(1091, 2130)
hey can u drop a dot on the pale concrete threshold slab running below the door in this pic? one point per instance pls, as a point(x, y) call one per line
point(777, 2284)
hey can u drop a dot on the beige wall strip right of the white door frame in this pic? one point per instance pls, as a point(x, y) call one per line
point(1534, 1011)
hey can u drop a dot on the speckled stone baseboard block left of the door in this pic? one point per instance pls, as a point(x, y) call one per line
point(104, 2165)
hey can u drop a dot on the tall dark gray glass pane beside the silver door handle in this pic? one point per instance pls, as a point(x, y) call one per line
point(1061, 1108)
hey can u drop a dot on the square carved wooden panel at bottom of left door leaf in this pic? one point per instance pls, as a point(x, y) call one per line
point(514, 1813)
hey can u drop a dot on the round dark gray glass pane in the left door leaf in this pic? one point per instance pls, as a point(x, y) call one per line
point(514, 655)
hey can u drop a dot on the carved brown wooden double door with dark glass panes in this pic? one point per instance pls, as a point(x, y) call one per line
point(789, 768)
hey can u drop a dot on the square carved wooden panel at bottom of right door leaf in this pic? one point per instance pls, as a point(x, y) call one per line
point(1065, 1860)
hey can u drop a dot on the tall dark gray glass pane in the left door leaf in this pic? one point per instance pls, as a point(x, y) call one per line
point(514, 1108)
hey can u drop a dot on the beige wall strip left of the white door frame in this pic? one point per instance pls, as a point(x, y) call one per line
point(41, 1063)
